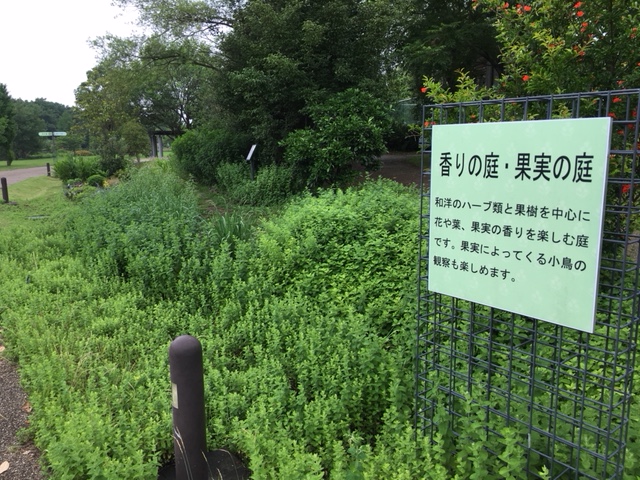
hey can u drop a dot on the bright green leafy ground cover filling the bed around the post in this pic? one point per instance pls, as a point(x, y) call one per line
point(307, 322)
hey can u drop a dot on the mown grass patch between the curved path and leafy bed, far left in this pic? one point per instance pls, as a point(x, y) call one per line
point(32, 199)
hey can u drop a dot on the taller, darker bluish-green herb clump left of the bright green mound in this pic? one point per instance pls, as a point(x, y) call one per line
point(141, 230)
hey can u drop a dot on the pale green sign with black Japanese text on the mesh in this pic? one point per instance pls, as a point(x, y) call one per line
point(516, 216)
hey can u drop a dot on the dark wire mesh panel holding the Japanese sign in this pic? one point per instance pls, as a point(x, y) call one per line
point(560, 394)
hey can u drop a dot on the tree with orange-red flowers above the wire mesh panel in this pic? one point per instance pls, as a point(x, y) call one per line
point(557, 46)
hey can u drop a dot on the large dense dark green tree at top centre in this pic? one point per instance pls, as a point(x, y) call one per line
point(284, 56)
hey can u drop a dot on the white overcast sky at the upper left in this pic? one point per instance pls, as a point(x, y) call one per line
point(44, 50)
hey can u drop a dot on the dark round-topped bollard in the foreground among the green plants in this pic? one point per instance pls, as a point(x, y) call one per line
point(187, 387)
